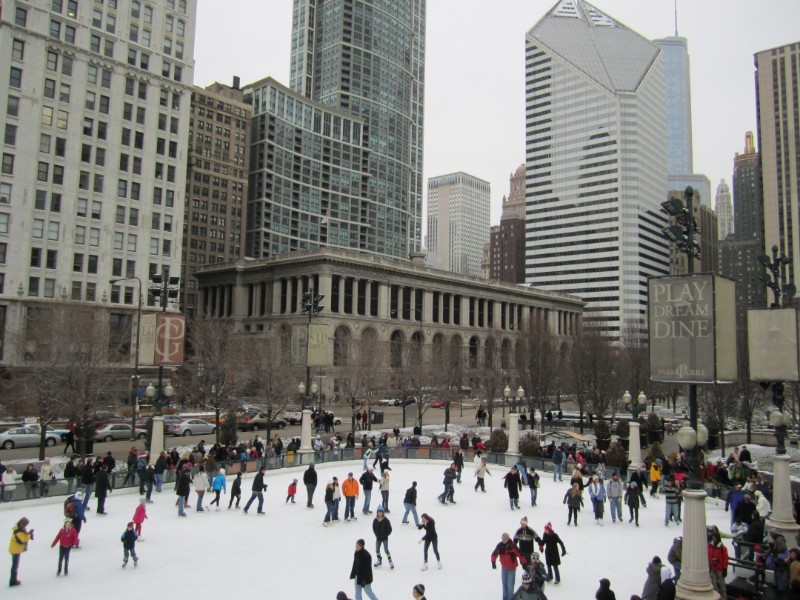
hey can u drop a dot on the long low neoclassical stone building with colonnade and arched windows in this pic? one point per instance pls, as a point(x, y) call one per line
point(387, 299)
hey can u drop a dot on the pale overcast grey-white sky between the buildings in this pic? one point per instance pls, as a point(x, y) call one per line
point(475, 75)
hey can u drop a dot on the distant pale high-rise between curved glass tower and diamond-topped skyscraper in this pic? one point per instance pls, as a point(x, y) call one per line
point(458, 222)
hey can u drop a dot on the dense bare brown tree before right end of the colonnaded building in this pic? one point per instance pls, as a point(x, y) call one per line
point(537, 365)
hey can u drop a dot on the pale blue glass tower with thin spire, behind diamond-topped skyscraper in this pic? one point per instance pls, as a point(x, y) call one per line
point(680, 160)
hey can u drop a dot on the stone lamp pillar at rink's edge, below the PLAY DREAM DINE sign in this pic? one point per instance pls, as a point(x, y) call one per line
point(695, 582)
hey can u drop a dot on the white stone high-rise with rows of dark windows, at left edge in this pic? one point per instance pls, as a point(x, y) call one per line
point(96, 121)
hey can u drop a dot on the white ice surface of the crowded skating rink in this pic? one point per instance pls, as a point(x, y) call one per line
point(289, 554)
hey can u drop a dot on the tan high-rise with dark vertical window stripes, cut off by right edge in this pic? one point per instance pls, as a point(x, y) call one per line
point(777, 90)
